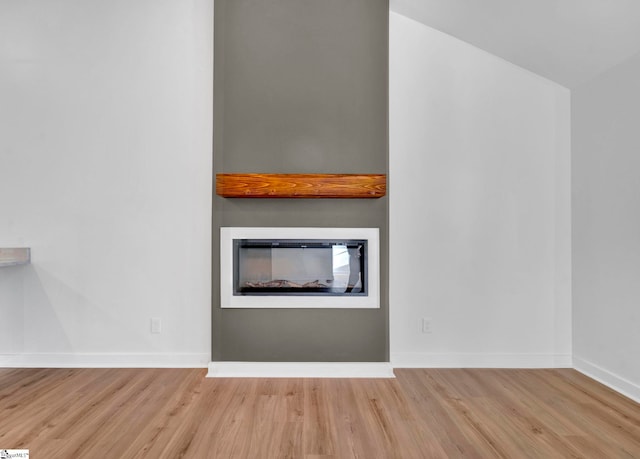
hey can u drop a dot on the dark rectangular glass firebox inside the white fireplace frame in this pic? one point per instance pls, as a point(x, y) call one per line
point(299, 267)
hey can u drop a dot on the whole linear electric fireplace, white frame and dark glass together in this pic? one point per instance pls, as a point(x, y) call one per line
point(299, 267)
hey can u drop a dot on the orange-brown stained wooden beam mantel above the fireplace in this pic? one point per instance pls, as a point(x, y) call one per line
point(341, 186)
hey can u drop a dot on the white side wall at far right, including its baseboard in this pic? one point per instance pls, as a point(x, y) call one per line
point(606, 230)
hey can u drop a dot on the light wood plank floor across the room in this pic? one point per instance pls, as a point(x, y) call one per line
point(161, 413)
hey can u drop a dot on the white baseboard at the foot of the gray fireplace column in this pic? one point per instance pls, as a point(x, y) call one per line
point(300, 370)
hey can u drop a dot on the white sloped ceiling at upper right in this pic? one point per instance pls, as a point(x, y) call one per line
point(567, 41)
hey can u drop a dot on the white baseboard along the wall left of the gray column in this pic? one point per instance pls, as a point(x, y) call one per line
point(104, 360)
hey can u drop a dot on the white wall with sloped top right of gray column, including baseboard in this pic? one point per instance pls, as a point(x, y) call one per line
point(479, 207)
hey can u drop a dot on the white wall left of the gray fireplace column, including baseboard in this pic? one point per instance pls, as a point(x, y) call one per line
point(105, 172)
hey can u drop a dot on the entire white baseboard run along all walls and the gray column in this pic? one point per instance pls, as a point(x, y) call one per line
point(322, 369)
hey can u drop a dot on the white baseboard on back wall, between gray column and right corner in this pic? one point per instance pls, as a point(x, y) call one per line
point(478, 360)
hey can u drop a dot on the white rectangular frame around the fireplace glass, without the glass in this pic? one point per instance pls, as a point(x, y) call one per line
point(369, 301)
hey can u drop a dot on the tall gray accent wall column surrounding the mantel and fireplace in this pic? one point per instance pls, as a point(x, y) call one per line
point(301, 86)
